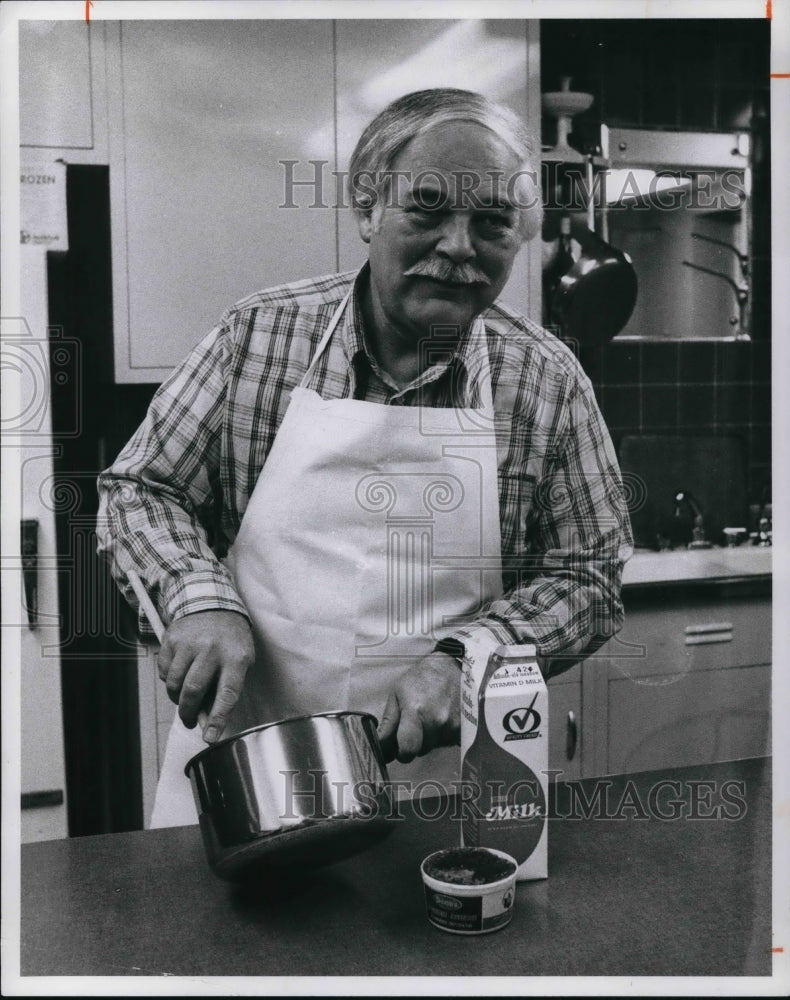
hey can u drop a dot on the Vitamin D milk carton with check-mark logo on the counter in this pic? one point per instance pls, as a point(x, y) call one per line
point(504, 753)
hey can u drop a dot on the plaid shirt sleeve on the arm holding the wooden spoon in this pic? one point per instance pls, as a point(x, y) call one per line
point(159, 499)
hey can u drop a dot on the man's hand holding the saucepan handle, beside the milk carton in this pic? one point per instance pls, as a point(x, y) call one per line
point(423, 709)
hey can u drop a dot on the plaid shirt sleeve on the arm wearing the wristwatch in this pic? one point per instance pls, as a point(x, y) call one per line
point(566, 596)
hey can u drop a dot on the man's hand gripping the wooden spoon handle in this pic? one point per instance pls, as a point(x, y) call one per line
point(208, 651)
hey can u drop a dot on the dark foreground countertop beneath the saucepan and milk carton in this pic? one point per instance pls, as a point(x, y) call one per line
point(629, 895)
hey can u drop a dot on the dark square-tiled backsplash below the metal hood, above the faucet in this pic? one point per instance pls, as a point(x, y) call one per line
point(694, 387)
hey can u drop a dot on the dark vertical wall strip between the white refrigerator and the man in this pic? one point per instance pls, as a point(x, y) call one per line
point(97, 641)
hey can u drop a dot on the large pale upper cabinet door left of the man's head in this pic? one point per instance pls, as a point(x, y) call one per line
point(209, 121)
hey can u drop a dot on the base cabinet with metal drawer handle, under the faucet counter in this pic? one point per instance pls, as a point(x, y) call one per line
point(681, 684)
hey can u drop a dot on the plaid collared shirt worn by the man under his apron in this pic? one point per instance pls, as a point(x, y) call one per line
point(173, 501)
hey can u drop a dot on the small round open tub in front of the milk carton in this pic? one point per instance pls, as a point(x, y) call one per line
point(469, 890)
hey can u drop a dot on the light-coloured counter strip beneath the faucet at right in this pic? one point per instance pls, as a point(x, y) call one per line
point(646, 566)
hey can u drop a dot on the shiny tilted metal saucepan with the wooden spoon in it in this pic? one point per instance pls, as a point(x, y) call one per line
point(298, 793)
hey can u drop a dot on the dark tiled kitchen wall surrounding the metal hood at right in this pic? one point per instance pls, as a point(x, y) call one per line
point(695, 75)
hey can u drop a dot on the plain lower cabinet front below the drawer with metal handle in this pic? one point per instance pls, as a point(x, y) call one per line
point(697, 718)
